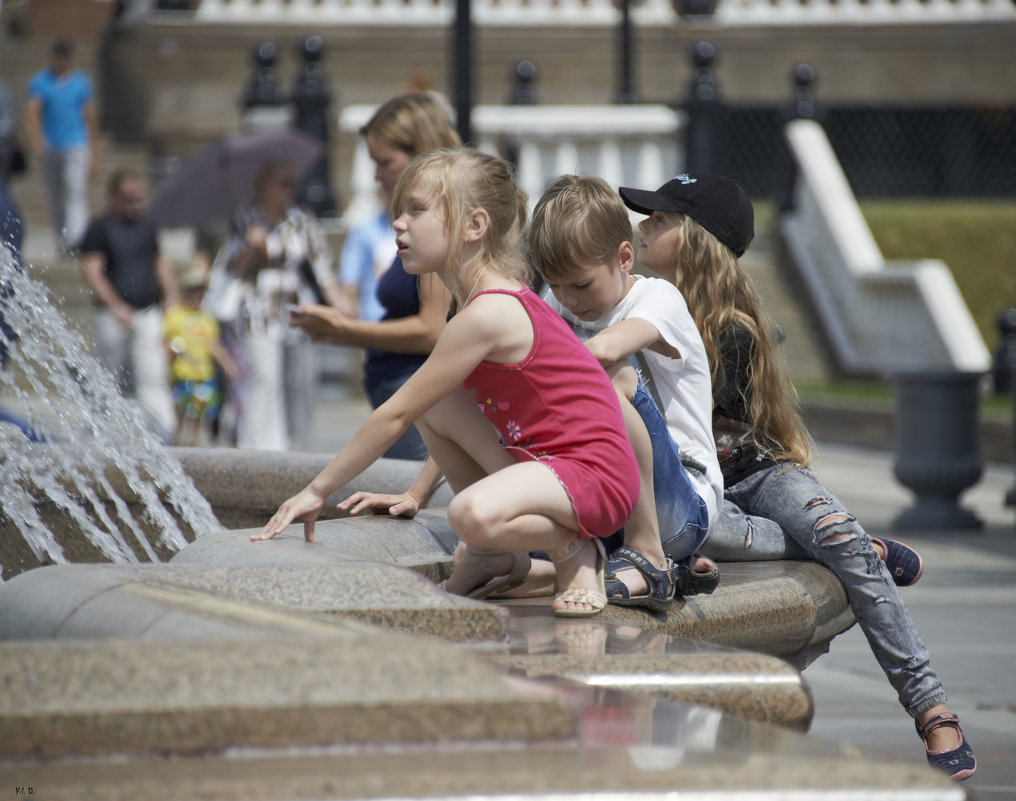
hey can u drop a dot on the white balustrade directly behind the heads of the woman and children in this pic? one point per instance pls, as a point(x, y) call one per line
point(626, 146)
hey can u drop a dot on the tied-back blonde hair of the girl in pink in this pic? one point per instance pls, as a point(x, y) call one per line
point(464, 180)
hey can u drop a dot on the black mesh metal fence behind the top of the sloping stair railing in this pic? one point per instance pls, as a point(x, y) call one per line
point(948, 151)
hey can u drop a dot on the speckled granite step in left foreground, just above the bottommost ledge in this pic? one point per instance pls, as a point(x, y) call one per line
point(357, 686)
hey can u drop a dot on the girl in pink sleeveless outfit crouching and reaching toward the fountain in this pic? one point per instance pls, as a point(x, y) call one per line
point(556, 470)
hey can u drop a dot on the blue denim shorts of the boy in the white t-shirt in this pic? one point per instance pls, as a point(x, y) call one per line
point(683, 516)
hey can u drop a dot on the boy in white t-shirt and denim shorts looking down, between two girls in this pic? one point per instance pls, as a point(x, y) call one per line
point(581, 241)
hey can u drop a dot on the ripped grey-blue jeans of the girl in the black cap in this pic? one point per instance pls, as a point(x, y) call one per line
point(784, 513)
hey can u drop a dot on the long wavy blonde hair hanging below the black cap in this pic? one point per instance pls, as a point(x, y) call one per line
point(721, 297)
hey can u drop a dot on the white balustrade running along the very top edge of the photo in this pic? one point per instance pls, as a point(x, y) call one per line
point(597, 13)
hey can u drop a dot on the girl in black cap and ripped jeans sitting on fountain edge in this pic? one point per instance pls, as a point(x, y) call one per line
point(775, 508)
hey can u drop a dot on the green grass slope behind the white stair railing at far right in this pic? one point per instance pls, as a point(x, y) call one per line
point(977, 240)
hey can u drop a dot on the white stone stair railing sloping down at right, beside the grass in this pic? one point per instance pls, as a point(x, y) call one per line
point(881, 318)
